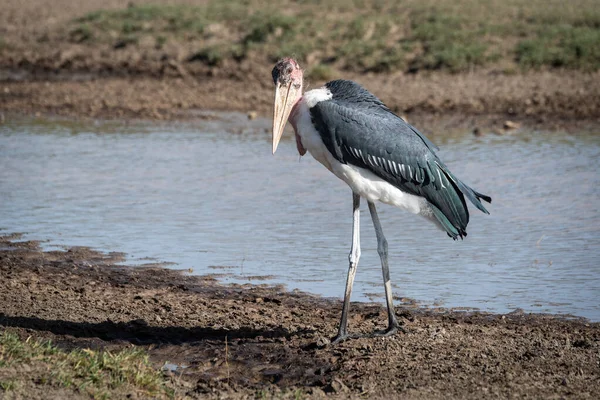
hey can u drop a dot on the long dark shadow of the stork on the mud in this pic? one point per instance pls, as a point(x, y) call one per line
point(138, 331)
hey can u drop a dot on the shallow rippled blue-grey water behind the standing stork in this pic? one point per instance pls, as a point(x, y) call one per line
point(212, 198)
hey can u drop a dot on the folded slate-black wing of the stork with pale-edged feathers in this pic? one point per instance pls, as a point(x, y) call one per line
point(358, 129)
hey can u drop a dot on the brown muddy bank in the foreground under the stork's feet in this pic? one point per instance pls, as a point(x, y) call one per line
point(246, 341)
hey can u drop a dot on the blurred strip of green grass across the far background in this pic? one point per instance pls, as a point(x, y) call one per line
point(365, 35)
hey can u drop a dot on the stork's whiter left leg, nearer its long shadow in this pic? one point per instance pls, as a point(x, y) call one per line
point(353, 258)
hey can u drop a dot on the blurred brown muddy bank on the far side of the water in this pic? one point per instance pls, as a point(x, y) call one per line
point(484, 101)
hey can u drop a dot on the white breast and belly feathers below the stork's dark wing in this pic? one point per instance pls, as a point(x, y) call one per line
point(362, 181)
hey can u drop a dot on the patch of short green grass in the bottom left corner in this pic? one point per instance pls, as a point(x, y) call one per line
point(99, 374)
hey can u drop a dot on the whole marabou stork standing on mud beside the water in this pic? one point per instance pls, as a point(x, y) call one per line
point(380, 156)
